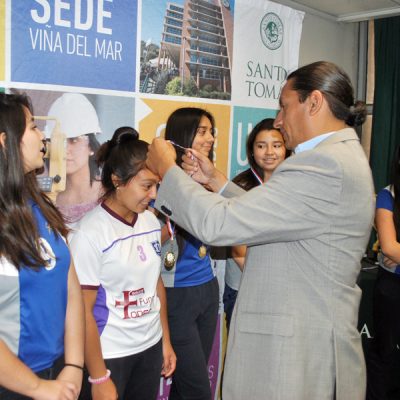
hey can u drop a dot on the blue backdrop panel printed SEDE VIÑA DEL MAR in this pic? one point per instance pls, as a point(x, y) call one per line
point(89, 43)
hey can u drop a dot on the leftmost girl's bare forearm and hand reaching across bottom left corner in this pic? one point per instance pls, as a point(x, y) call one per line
point(17, 377)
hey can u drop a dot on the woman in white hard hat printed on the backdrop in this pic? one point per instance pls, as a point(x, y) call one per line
point(79, 122)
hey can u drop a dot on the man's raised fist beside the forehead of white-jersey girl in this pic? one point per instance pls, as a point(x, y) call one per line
point(160, 157)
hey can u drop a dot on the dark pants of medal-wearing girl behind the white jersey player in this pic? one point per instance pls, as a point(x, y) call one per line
point(192, 316)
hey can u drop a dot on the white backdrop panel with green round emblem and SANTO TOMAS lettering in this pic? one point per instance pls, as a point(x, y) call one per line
point(267, 41)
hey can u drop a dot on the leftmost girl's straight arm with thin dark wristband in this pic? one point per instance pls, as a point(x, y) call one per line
point(74, 336)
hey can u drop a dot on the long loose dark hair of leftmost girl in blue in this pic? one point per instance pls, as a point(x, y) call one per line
point(19, 236)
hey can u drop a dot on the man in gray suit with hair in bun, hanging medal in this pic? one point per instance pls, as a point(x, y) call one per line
point(294, 328)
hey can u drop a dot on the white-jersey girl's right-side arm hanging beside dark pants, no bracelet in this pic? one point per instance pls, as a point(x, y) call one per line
point(169, 356)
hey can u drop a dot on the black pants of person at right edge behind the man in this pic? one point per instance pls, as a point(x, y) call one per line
point(383, 358)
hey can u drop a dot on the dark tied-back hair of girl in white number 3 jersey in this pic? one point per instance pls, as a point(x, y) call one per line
point(124, 156)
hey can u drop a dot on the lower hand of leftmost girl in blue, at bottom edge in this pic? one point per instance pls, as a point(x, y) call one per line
point(54, 390)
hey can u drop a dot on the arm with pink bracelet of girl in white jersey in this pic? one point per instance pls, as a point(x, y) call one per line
point(93, 355)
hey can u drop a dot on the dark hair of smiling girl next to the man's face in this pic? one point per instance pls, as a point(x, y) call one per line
point(246, 179)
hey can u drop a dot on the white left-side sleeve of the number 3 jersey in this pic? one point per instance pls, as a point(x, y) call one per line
point(87, 259)
